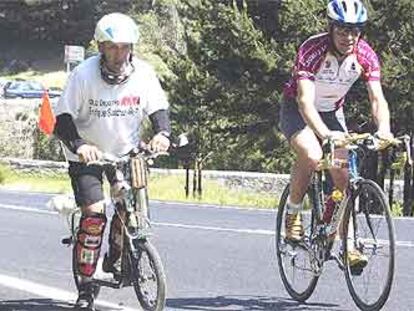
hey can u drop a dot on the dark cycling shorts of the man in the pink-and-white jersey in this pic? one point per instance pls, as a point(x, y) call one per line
point(291, 120)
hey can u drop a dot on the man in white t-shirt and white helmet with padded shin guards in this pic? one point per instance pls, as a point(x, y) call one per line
point(101, 110)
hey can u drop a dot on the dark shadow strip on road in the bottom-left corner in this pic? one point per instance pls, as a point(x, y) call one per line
point(35, 305)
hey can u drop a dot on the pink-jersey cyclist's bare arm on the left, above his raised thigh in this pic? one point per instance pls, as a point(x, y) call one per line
point(306, 99)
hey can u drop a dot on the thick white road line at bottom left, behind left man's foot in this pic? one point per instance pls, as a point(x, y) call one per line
point(51, 292)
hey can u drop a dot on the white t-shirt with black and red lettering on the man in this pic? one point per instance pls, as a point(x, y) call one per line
point(109, 116)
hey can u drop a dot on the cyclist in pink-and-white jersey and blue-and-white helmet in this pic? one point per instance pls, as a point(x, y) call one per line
point(326, 66)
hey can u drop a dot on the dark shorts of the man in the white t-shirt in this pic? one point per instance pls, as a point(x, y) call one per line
point(87, 182)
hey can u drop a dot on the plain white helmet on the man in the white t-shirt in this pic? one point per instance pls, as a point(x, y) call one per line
point(116, 28)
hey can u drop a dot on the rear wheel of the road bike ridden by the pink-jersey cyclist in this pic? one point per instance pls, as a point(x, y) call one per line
point(294, 261)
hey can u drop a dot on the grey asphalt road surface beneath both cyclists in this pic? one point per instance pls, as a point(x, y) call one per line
point(215, 259)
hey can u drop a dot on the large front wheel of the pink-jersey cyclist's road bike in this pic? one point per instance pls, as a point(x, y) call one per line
point(368, 227)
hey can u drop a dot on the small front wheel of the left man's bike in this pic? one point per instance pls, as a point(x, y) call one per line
point(146, 250)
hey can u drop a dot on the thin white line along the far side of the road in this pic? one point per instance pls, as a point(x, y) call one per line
point(184, 226)
